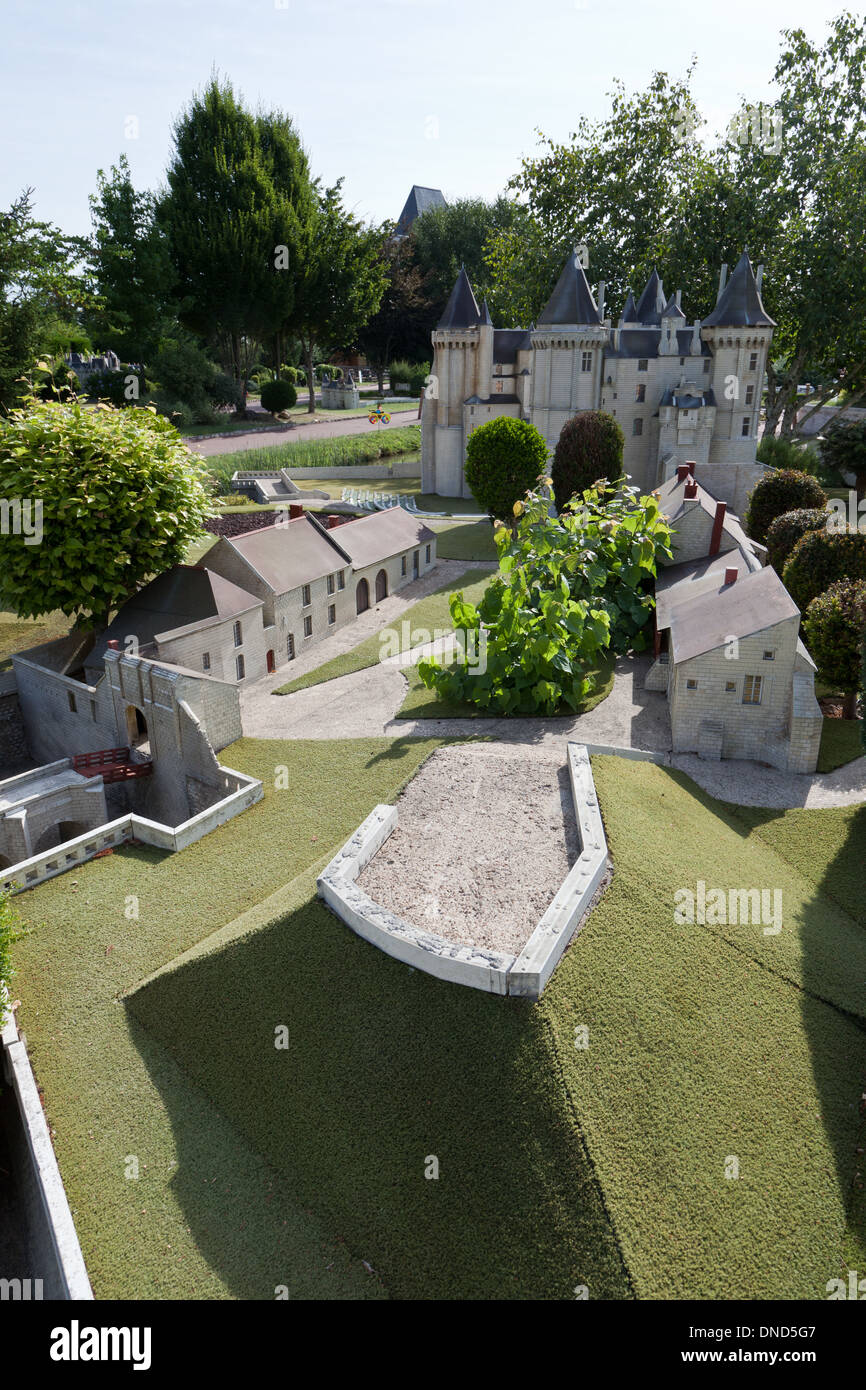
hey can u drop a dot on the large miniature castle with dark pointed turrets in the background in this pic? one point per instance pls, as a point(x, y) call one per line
point(680, 393)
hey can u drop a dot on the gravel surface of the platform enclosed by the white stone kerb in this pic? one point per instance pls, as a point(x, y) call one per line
point(486, 836)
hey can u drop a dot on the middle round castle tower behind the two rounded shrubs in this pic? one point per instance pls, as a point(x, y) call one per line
point(568, 350)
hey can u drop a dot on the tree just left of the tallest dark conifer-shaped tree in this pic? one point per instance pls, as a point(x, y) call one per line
point(130, 266)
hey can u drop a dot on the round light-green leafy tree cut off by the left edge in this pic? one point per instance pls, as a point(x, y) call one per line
point(122, 500)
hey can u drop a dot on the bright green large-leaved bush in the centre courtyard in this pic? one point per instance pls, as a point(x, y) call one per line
point(569, 590)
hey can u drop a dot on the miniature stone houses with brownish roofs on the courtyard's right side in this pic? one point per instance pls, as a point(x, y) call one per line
point(729, 655)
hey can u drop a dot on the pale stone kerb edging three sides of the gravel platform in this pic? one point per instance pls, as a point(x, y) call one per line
point(523, 976)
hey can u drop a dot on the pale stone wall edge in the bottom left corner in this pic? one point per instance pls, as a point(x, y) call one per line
point(69, 1277)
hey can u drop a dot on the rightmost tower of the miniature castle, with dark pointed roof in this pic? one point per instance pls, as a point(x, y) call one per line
point(739, 333)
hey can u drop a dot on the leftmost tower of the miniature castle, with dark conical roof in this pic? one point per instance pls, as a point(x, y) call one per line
point(464, 363)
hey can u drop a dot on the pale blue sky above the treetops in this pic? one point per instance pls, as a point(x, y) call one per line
point(389, 94)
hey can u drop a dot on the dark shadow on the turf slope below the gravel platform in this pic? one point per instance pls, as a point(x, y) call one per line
point(387, 1075)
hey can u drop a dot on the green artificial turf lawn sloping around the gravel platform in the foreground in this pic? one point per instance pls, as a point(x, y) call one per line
point(558, 1166)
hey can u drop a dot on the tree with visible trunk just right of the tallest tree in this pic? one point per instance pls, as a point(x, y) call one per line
point(340, 284)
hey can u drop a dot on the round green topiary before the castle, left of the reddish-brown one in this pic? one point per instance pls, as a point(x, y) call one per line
point(504, 459)
